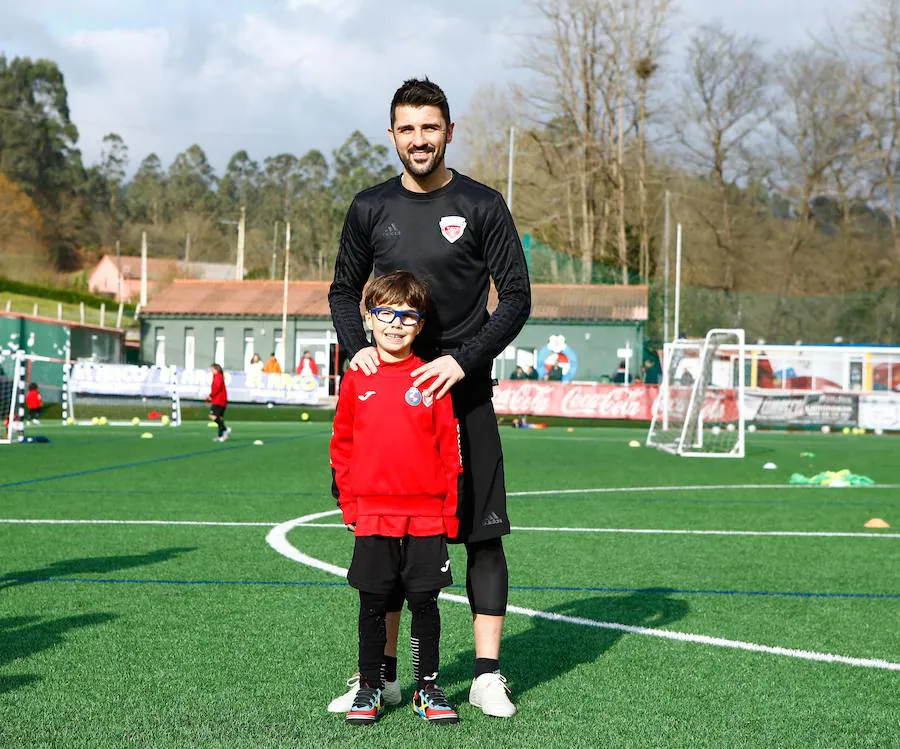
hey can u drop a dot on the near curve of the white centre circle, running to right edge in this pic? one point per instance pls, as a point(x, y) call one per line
point(277, 539)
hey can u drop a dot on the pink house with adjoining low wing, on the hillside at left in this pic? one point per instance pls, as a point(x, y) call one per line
point(122, 280)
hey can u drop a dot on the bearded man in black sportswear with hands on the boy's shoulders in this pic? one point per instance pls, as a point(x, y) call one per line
point(455, 234)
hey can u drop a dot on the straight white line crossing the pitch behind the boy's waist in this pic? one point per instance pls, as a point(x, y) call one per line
point(543, 529)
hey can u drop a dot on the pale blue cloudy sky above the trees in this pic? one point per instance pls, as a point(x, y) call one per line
point(272, 76)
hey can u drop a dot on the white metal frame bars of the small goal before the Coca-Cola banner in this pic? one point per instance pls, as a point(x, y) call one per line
point(691, 438)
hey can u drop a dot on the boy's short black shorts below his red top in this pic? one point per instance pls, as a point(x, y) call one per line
point(417, 564)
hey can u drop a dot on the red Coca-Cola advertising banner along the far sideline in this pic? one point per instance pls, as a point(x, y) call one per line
point(599, 401)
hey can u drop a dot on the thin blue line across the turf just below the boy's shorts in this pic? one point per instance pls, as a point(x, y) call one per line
point(538, 588)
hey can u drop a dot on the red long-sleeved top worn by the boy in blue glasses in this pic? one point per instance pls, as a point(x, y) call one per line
point(395, 455)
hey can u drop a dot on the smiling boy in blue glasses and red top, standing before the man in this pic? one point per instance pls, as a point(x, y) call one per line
point(396, 465)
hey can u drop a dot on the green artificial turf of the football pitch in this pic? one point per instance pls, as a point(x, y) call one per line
point(180, 634)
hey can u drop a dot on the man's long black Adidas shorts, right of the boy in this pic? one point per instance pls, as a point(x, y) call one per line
point(482, 502)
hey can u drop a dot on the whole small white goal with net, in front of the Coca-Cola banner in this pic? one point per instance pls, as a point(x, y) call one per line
point(699, 409)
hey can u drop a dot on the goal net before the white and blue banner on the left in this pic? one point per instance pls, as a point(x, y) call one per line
point(120, 395)
